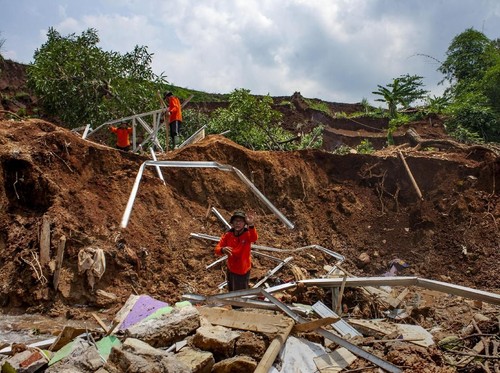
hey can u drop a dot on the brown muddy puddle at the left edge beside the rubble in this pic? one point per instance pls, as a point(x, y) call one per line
point(33, 328)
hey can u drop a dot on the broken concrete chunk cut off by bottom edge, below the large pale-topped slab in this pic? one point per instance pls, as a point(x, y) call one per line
point(125, 361)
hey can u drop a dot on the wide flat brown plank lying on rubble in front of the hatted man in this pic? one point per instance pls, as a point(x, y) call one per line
point(252, 321)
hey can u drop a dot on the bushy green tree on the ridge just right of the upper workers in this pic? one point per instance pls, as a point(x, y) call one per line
point(251, 121)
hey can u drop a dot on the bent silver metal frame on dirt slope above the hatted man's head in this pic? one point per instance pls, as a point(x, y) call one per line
point(198, 164)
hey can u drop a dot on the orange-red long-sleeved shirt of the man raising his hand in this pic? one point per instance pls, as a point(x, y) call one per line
point(239, 261)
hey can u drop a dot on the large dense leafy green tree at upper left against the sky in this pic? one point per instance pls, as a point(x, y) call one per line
point(80, 83)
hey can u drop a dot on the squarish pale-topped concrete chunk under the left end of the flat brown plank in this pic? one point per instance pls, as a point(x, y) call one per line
point(217, 339)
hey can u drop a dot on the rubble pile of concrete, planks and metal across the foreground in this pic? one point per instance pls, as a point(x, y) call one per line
point(258, 330)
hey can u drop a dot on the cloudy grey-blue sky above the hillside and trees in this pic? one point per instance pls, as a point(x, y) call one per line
point(335, 50)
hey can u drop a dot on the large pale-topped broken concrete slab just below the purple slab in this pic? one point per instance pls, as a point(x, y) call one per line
point(166, 329)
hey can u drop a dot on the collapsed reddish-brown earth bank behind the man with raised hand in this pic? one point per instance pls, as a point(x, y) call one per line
point(350, 204)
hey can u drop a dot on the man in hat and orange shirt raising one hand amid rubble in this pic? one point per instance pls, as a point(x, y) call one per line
point(236, 244)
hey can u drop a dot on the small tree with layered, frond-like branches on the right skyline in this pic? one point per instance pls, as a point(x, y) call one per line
point(403, 91)
